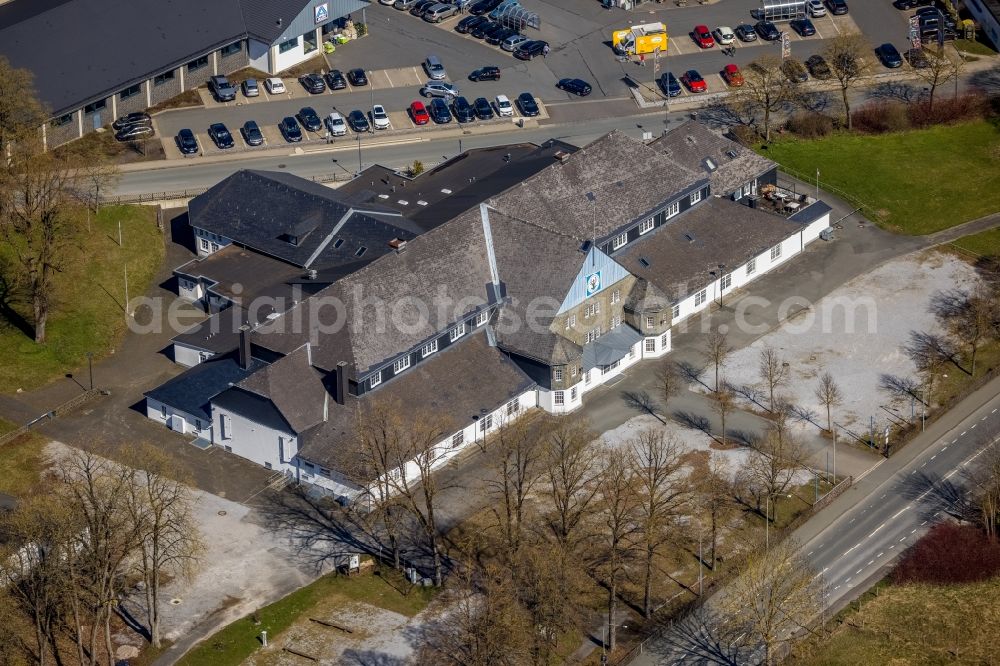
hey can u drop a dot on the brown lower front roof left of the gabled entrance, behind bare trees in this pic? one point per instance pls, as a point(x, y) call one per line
point(451, 383)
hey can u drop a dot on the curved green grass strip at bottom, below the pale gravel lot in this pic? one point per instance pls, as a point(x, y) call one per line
point(239, 640)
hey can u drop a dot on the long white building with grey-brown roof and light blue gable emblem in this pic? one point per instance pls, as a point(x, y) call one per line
point(530, 298)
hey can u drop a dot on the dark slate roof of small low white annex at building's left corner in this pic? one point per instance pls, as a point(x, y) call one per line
point(192, 390)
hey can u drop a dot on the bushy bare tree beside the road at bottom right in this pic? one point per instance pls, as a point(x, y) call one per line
point(774, 594)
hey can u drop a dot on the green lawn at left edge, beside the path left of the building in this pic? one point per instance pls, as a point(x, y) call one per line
point(88, 314)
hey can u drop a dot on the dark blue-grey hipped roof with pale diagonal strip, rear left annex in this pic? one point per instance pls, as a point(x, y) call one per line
point(257, 208)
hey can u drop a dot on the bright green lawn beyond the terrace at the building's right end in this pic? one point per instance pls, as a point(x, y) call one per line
point(914, 182)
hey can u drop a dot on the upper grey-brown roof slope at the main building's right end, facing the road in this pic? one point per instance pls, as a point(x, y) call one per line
point(627, 179)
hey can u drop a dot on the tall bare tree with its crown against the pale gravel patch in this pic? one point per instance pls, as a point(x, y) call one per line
point(661, 487)
